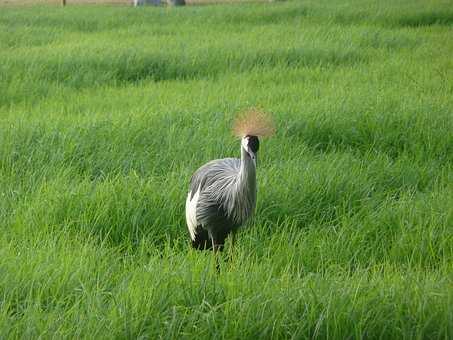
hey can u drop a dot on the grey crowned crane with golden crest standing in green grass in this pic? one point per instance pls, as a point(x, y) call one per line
point(222, 193)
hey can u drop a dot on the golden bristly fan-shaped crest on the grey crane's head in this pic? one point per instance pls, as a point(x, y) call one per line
point(254, 122)
